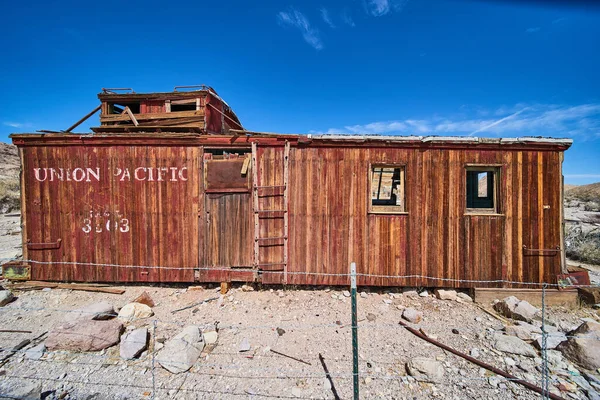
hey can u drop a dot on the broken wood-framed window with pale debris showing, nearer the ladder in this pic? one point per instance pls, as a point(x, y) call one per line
point(387, 189)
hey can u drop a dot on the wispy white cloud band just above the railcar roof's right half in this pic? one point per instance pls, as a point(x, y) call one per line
point(582, 121)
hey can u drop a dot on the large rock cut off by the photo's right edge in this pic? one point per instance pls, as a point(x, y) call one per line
point(583, 346)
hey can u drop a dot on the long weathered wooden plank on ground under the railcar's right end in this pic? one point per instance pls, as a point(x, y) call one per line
point(554, 297)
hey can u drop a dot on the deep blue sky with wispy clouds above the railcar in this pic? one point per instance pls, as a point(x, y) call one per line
point(494, 69)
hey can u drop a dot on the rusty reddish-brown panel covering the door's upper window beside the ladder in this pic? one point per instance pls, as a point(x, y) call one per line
point(227, 175)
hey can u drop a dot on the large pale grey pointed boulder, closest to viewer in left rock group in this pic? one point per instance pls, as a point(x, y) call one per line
point(182, 351)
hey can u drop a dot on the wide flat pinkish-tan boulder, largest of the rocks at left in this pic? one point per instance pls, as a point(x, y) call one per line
point(84, 335)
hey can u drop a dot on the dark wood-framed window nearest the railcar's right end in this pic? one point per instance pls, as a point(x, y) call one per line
point(481, 189)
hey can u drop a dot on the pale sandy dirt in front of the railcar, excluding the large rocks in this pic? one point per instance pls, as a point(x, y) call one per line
point(314, 321)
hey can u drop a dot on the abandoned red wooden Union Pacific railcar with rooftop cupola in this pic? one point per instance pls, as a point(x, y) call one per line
point(127, 204)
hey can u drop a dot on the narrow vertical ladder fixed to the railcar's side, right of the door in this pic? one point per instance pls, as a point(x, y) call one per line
point(260, 215)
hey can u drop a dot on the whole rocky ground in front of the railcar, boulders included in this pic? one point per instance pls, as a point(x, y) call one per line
point(251, 324)
